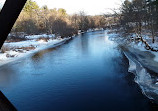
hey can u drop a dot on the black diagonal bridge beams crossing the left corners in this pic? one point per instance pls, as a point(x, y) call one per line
point(8, 16)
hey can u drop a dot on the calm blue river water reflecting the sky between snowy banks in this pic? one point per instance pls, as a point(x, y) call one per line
point(89, 73)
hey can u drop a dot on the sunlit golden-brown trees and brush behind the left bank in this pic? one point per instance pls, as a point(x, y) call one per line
point(34, 20)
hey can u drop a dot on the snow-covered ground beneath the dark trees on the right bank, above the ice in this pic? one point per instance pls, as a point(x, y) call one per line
point(133, 41)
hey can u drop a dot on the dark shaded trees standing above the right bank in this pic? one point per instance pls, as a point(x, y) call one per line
point(139, 16)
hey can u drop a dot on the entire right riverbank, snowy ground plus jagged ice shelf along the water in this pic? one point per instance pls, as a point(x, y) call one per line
point(142, 62)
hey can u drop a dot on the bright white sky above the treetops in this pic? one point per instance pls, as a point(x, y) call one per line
point(91, 7)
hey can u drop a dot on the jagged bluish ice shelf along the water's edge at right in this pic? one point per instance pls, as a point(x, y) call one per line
point(143, 78)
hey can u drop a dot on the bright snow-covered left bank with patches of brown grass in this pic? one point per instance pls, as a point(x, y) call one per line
point(21, 49)
